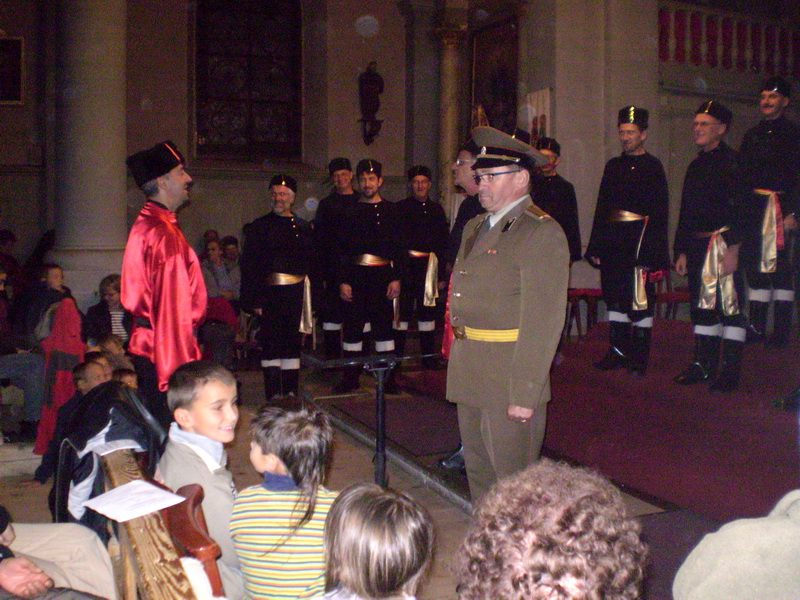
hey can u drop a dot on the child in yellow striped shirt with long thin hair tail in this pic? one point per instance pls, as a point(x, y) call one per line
point(277, 527)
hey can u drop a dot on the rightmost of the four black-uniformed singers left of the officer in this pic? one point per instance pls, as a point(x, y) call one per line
point(424, 231)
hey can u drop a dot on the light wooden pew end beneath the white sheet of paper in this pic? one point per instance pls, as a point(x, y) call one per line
point(145, 543)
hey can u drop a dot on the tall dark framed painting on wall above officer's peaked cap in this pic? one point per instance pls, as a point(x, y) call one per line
point(495, 57)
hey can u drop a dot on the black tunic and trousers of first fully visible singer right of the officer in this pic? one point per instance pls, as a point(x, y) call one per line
point(637, 184)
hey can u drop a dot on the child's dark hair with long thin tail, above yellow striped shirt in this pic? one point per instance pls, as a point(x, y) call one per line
point(302, 439)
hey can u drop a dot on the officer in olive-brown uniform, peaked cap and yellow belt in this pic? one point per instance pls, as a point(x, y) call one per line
point(507, 301)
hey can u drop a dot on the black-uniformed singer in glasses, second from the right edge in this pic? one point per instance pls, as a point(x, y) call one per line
point(707, 250)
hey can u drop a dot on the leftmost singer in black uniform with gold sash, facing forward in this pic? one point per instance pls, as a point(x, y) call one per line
point(276, 259)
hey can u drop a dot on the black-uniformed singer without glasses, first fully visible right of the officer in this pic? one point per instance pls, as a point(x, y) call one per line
point(629, 241)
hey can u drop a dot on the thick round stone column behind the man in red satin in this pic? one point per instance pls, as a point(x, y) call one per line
point(90, 144)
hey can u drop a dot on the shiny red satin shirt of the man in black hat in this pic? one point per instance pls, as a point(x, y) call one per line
point(162, 282)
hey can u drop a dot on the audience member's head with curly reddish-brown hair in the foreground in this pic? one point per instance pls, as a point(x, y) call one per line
point(551, 532)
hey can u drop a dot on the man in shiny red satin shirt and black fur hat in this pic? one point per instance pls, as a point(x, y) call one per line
point(162, 283)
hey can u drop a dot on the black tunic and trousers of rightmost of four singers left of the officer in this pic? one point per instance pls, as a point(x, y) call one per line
point(424, 230)
